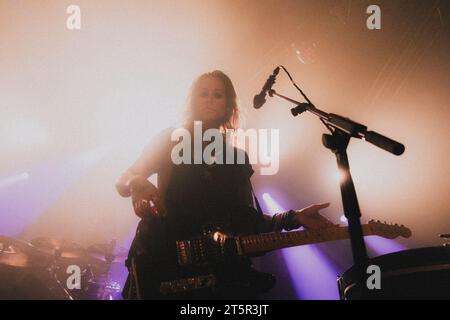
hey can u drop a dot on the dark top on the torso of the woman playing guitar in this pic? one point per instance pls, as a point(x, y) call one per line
point(200, 194)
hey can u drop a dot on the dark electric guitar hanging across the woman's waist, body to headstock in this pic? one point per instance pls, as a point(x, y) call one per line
point(197, 263)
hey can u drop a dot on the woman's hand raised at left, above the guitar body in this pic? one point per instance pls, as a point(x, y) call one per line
point(145, 198)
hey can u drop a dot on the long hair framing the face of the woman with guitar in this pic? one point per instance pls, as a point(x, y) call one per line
point(231, 119)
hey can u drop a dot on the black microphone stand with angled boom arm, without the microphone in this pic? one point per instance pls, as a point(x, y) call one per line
point(342, 130)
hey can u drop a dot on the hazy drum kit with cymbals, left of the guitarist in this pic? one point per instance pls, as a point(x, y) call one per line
point(40, 269)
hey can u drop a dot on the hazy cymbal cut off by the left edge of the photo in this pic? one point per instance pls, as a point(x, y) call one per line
point(17, 253)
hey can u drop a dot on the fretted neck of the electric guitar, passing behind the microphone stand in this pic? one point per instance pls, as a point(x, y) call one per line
point(261, 243)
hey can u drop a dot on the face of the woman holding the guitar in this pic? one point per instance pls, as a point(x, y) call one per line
point(210, 101)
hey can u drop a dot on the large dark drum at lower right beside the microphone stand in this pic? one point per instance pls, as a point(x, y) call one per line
point(422, 273)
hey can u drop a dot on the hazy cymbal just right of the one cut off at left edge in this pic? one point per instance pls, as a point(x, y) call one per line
point(59, 248)
